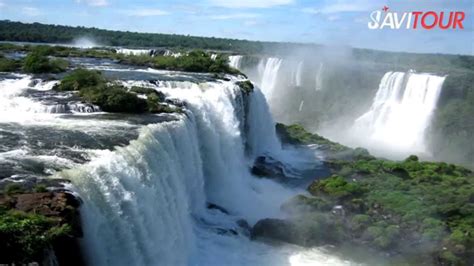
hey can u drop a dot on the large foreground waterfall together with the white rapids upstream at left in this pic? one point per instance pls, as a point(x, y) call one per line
point(144, 201)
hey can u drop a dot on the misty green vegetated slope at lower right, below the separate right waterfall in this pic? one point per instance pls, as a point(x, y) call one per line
point(389, 205)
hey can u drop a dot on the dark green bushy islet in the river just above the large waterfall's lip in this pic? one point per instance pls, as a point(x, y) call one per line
point(112, 97)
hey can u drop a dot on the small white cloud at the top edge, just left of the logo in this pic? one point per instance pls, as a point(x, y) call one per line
point(339, 6)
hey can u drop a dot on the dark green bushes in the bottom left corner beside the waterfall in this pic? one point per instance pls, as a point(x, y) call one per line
point(26, 236)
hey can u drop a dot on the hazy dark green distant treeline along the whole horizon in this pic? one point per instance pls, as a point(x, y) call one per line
point(37, 32)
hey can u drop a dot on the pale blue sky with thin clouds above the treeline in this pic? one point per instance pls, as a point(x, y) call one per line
point(332, 22)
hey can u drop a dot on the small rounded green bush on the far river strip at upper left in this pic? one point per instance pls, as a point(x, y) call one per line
point(38, 62)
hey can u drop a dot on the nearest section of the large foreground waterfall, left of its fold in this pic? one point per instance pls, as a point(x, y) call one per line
point(138, 199)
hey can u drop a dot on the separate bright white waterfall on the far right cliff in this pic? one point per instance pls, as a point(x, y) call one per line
point(401, 111)
